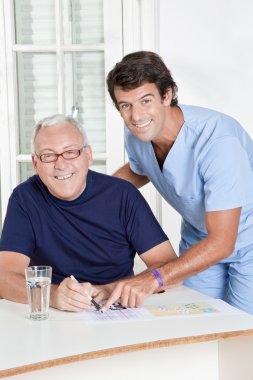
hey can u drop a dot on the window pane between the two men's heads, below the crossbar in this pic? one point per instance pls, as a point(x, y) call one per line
point(85, 88)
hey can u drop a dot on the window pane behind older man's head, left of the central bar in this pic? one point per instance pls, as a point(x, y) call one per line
point(37, 93)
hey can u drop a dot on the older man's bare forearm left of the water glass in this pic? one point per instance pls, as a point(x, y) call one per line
point(13, 287)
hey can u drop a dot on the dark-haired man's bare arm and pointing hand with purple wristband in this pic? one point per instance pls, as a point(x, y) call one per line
point(222, 230)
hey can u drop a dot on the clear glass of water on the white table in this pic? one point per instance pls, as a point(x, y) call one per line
point(38, 281)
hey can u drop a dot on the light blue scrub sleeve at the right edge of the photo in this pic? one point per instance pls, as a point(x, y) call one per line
point(227, 175)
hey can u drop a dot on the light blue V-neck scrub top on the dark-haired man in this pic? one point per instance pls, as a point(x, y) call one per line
point(209, 168)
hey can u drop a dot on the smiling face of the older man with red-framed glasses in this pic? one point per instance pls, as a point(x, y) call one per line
point(65, 179)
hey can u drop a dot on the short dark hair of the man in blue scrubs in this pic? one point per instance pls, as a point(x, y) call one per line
point(138, 68)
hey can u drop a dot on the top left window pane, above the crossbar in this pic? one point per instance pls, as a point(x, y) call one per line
point(34, 21)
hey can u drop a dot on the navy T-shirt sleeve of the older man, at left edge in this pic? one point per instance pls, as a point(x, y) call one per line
point(17, 234)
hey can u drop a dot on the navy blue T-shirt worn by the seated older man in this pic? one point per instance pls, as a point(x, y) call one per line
point(94, 237)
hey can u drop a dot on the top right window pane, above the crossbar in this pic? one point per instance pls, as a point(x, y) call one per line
point(83, 21)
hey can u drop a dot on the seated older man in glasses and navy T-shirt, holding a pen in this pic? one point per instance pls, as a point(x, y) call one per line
point(80, 222)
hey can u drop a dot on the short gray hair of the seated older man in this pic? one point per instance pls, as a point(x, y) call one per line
point(57, 119)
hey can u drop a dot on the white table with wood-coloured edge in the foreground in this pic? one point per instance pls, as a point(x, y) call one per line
point(210, 347)
